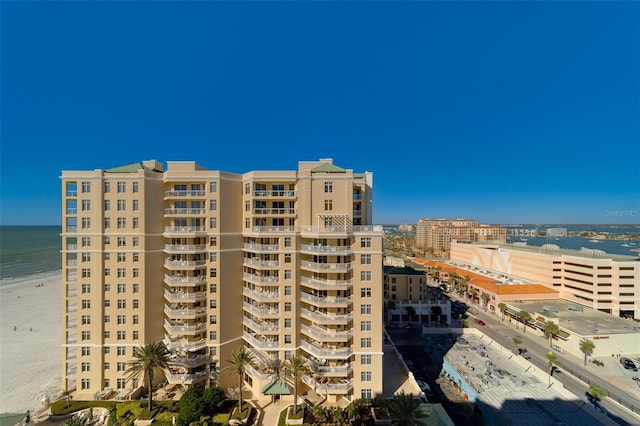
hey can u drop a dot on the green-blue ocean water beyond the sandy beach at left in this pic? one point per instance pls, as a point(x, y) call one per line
point(29, 250)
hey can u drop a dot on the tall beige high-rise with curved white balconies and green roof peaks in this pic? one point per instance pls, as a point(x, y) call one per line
point(282, 262)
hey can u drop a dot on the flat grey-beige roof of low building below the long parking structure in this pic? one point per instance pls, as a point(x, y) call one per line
point(577, 318)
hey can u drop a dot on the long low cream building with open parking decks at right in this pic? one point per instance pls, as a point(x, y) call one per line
point(604, 282)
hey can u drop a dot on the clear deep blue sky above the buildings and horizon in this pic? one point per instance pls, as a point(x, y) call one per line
point(507, 112)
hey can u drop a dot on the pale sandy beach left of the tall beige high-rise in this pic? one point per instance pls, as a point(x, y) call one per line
point(30, 355)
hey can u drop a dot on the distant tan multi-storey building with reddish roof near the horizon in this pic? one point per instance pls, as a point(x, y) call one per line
point(436, 235)
